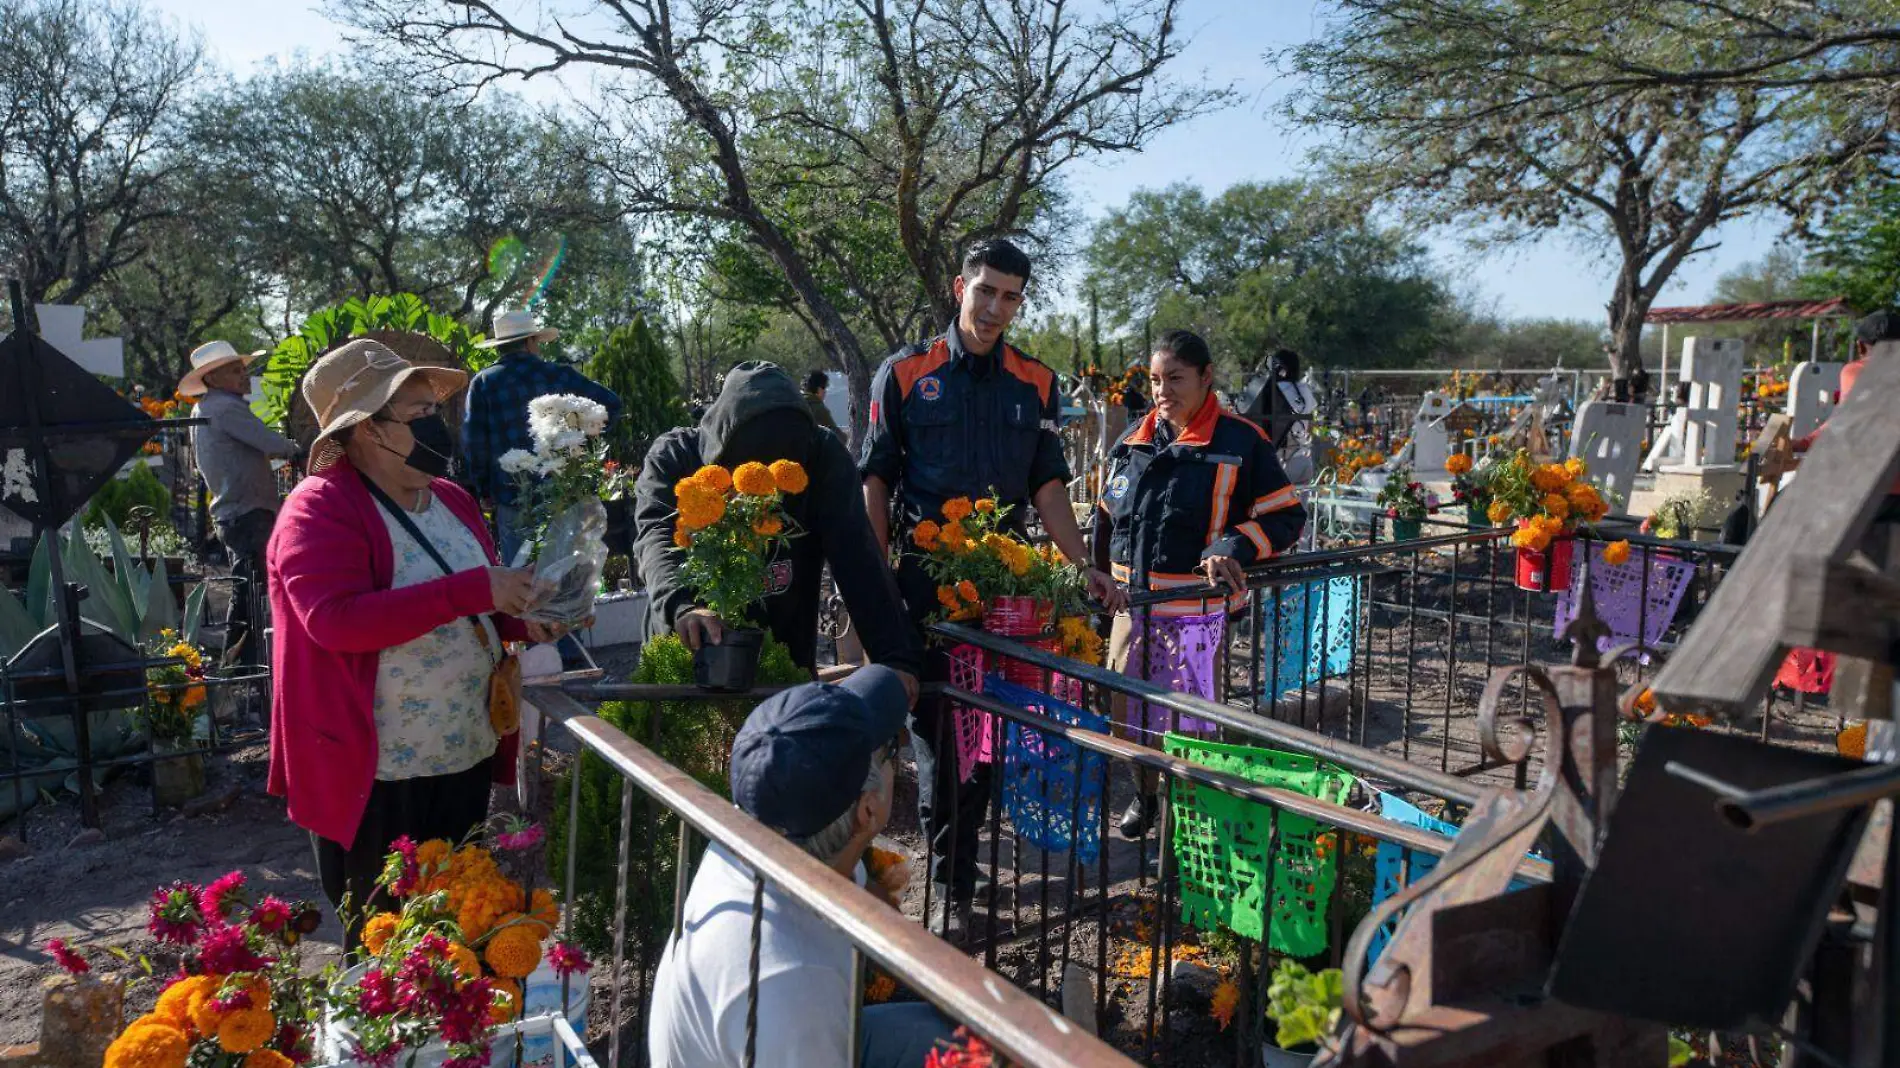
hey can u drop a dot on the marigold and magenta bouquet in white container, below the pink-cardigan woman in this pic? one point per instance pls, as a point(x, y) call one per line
point(457, 961)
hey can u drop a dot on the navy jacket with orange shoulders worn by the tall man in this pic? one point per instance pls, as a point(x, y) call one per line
point(947, 425)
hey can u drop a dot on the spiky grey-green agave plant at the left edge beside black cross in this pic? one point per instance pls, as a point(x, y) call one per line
point(128, 600)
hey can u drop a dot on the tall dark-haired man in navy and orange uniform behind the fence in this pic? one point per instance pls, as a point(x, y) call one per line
point(964, 415)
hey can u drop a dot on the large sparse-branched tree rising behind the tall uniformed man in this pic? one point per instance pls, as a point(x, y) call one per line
point(850, 145)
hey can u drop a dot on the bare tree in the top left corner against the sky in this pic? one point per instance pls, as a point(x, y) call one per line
point(90, 98)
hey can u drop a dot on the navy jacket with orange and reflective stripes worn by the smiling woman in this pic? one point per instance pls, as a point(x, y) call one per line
point(1215, 491)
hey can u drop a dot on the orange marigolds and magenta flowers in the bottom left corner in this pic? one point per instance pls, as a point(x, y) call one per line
point(240, 995)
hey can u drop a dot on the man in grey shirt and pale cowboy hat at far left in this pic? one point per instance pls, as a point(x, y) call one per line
point(235, 451)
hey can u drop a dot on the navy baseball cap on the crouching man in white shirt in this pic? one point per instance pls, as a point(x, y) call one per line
point(803, 755)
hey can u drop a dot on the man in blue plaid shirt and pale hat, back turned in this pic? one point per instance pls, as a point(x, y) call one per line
point(497, 415)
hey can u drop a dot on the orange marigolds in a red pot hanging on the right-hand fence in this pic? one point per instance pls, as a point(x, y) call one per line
point(1548, 503)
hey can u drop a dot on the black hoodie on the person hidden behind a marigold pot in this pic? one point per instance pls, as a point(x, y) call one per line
point(761, 415)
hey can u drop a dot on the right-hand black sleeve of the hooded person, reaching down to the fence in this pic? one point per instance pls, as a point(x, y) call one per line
point(865, 581)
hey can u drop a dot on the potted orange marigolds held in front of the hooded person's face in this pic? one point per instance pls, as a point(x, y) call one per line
point(731, 525)
